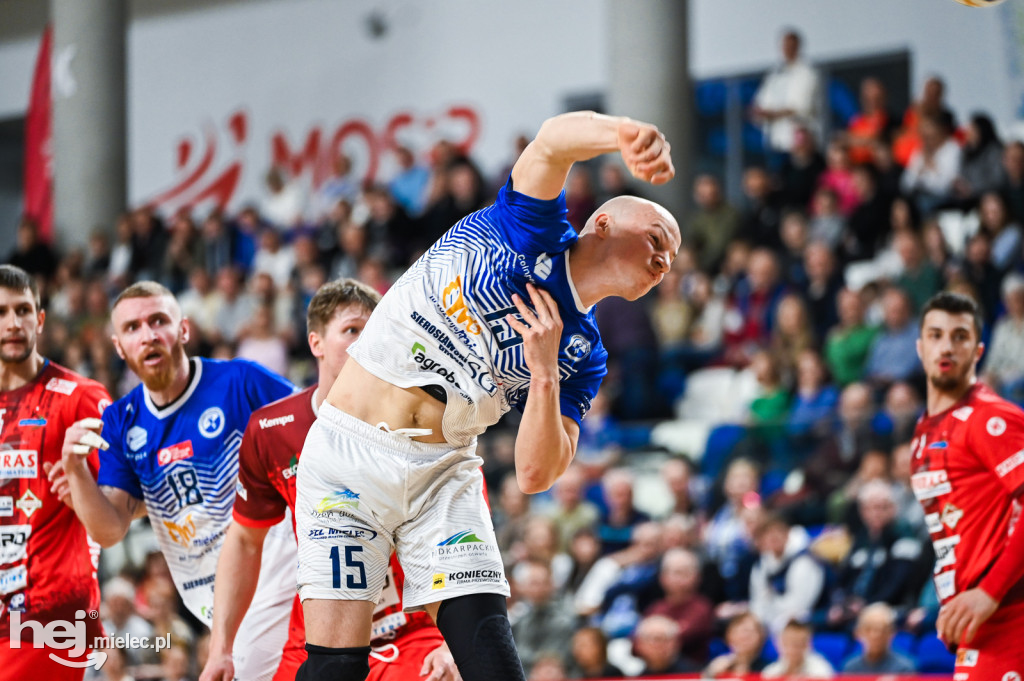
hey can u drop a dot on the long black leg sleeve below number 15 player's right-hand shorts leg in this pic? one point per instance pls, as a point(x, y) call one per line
point(477, 629)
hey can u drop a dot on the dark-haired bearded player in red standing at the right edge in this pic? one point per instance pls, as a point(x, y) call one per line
point(968, 463)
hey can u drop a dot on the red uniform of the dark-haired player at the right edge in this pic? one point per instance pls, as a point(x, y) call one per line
point(968, 465)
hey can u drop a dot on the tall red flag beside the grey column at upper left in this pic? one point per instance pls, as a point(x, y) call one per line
point(38, 153)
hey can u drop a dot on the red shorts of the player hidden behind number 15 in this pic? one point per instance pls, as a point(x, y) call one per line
point(400, 661)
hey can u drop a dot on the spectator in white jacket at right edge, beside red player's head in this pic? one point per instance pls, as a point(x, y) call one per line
point(1005, 359)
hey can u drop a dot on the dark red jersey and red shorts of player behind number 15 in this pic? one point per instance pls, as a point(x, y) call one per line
point(268, 462)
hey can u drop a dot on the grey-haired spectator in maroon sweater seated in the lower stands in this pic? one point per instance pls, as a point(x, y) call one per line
point(680, 581)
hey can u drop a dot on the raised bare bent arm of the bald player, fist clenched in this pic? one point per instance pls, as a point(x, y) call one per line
point(544, 165)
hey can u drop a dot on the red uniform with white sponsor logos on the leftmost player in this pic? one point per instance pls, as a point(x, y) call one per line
point(48, 563)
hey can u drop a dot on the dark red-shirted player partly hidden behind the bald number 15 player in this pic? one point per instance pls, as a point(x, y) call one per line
point(407, 646)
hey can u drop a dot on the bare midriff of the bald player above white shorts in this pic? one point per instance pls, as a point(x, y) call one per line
point(360, 394)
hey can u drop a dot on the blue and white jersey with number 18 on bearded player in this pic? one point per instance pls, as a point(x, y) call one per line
point(183, 460)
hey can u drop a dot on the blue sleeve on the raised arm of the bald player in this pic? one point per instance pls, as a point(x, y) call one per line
point(533, 226)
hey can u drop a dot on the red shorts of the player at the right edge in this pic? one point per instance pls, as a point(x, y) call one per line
point(996, 653)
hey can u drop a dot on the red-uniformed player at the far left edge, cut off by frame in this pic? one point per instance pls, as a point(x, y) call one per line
point(48, 568)
